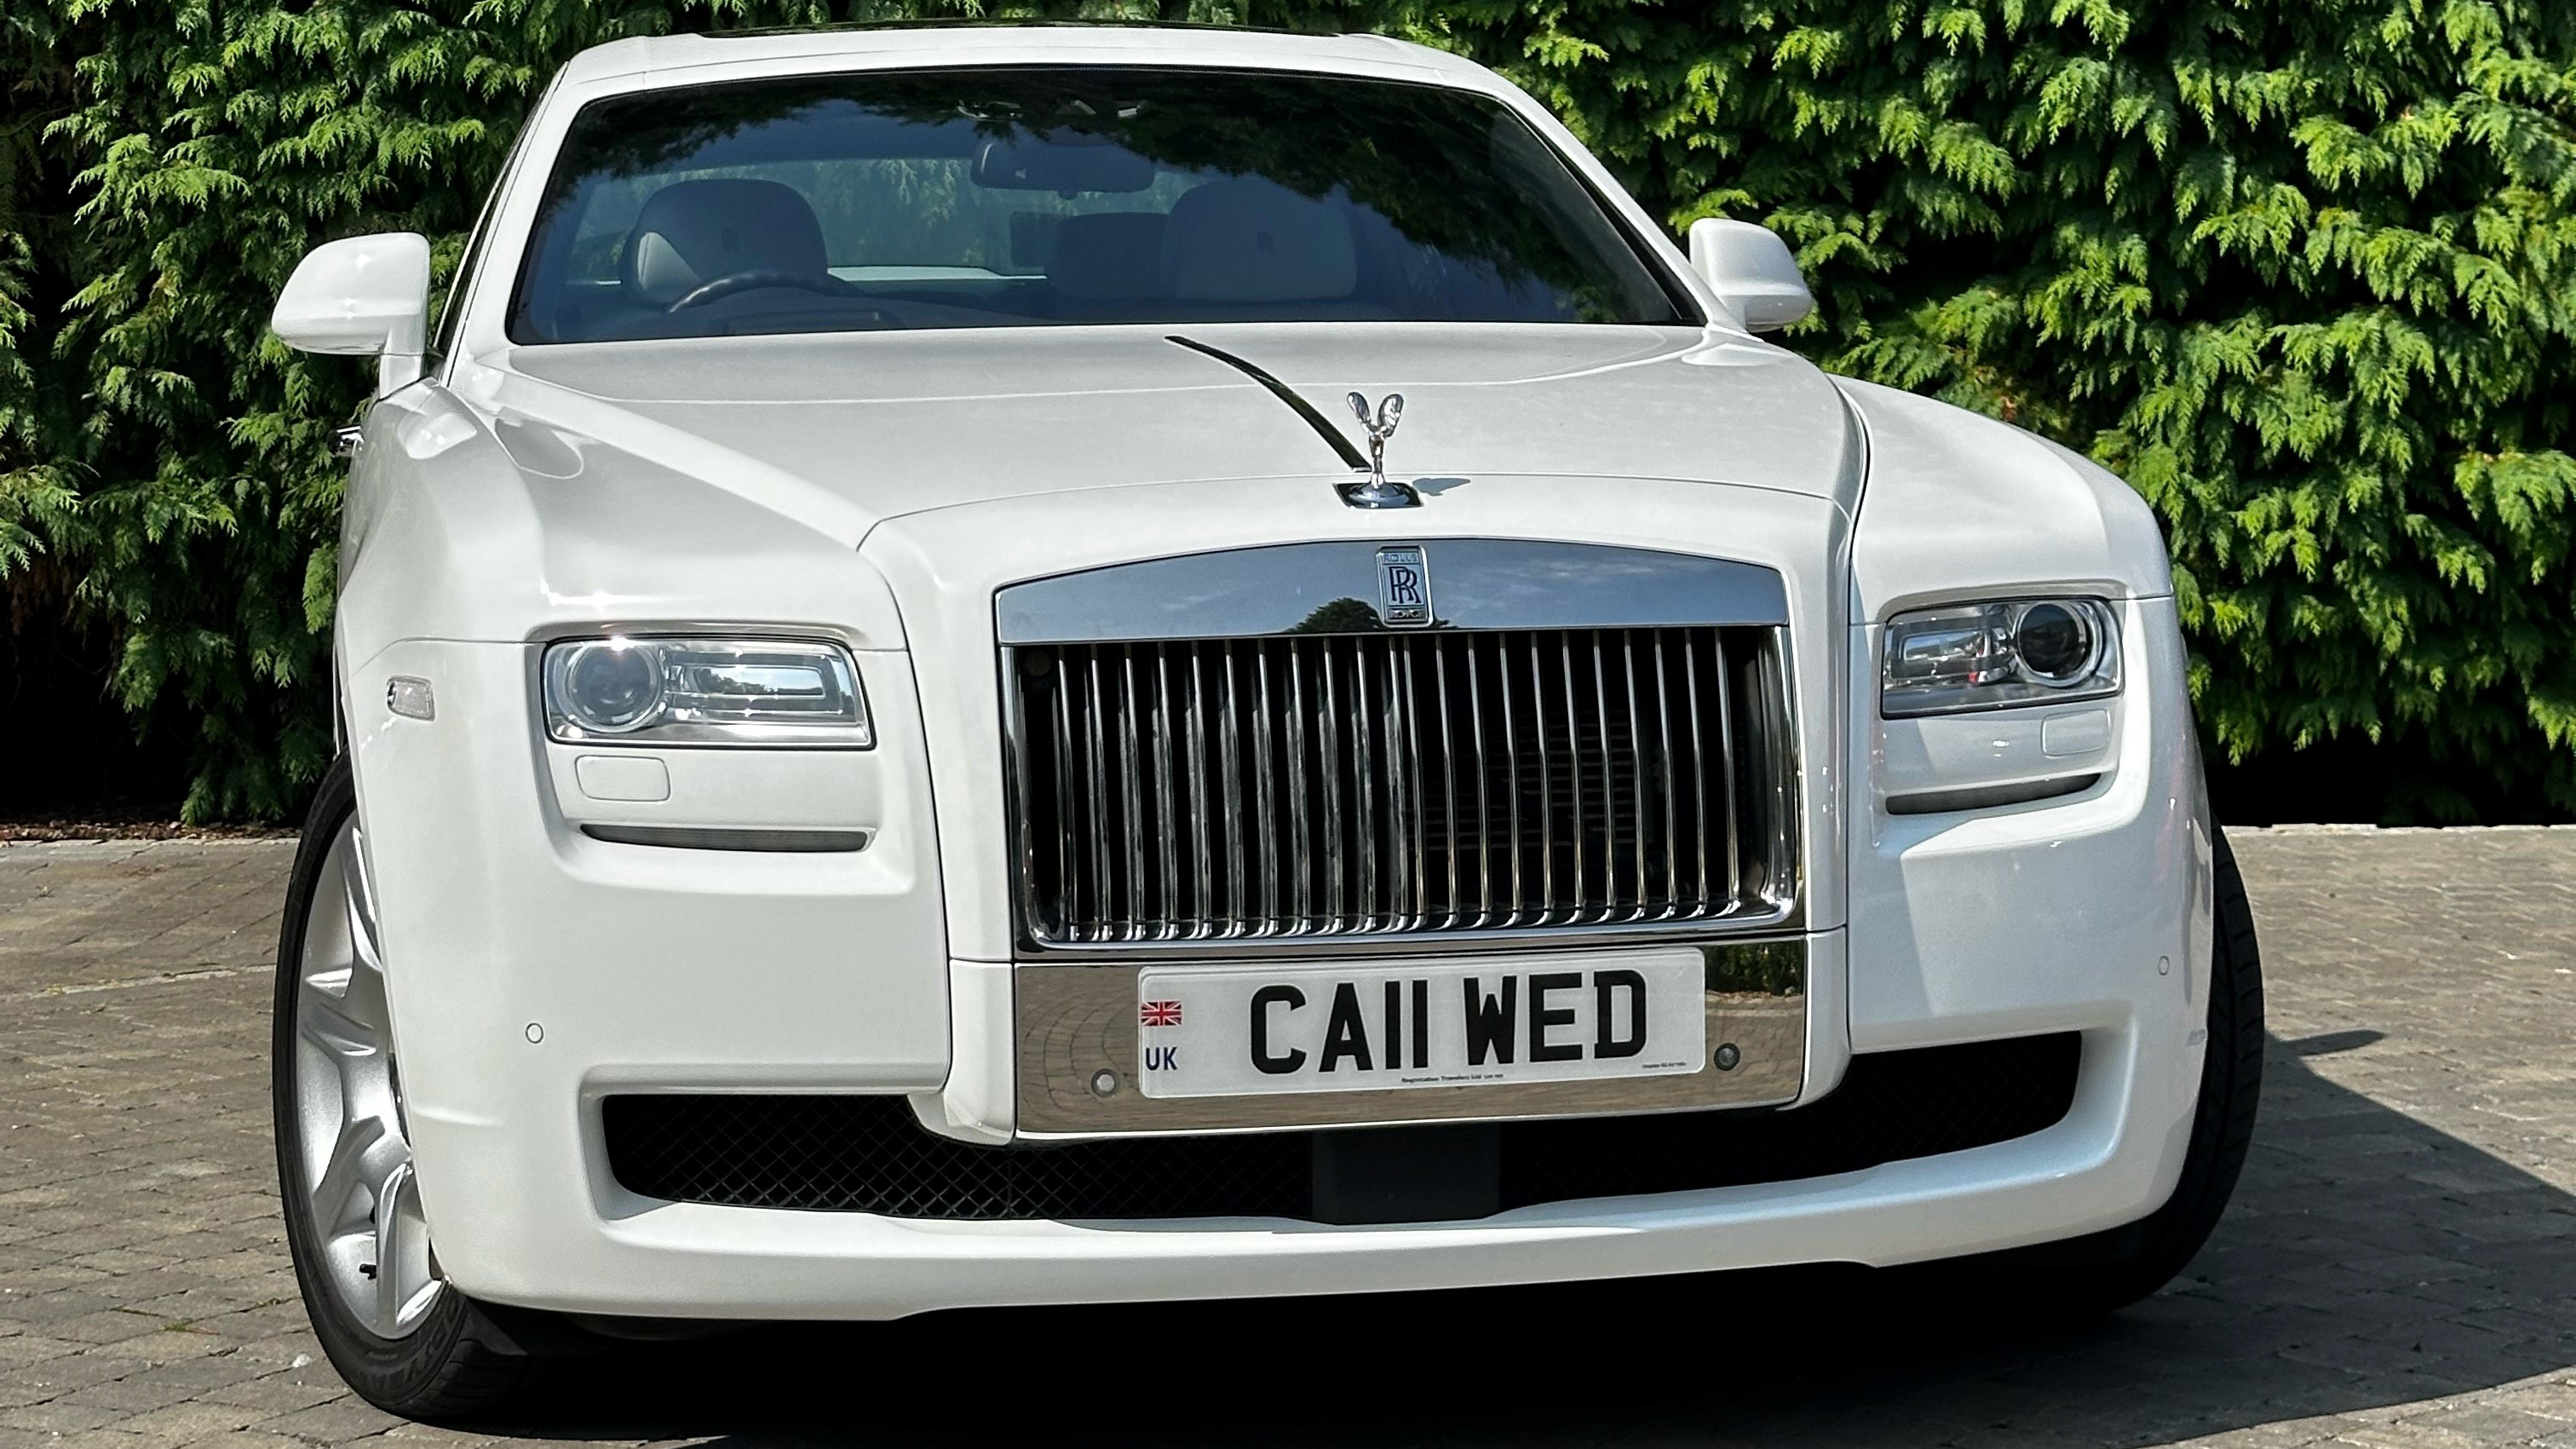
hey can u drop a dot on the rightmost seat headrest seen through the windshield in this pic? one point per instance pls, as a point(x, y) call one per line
point(1256, 241)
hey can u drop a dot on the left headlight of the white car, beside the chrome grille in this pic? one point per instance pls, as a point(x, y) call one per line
point(705, 692)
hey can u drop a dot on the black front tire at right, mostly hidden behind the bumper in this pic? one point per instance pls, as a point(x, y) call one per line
point(2103, 1272)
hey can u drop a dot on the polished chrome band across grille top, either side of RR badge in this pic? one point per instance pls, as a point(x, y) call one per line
point(1485, 584)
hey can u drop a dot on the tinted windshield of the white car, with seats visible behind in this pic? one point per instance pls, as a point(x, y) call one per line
point(1065, 195)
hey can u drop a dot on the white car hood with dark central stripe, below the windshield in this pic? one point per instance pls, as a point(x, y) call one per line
point(851, 429)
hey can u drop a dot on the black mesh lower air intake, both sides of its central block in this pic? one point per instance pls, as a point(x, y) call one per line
point(867, 1154)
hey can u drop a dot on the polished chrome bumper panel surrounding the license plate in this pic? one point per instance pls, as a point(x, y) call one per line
point(1075, 1025)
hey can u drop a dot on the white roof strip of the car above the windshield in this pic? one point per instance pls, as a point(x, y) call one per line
point(648, 61)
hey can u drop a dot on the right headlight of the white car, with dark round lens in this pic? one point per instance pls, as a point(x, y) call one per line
point(1990, 656)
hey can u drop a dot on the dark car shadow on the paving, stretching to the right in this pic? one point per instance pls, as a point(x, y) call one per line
point(2366, 1262)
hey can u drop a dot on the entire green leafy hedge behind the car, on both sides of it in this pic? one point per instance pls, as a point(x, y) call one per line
point(2304, 275)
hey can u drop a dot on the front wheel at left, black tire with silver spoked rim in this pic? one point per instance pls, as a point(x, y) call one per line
point(401, 1337)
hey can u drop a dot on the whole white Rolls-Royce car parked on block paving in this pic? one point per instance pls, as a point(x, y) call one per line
point(1019, 666)
